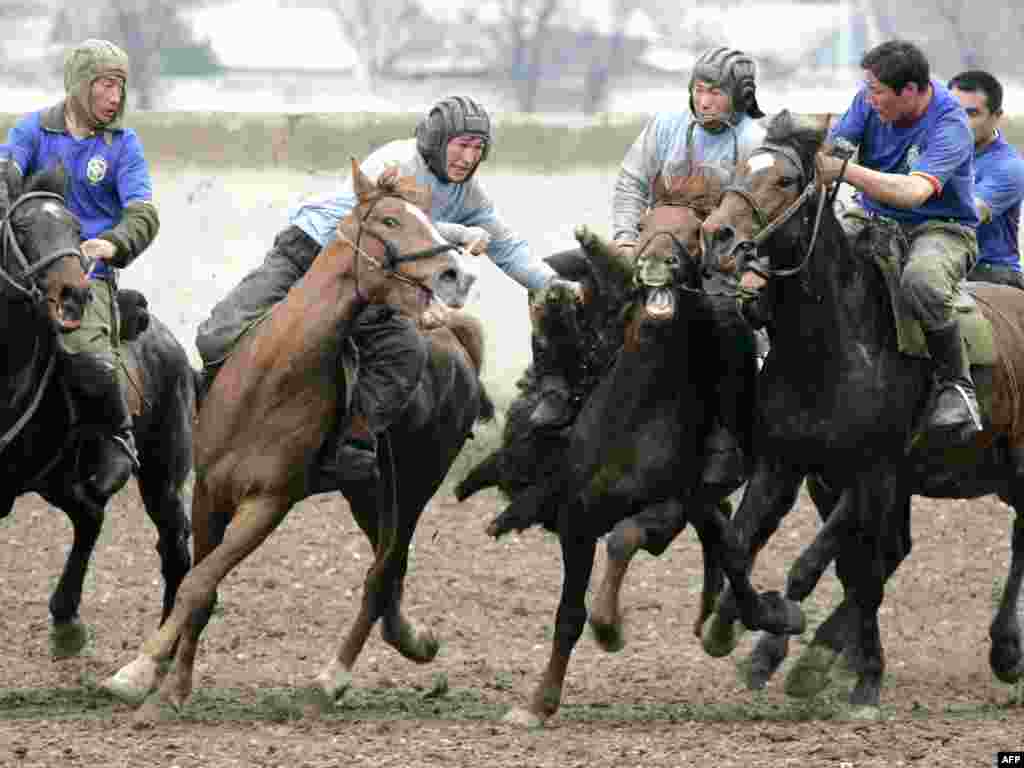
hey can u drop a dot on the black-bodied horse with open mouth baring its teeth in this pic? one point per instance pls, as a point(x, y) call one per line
point(633, 462)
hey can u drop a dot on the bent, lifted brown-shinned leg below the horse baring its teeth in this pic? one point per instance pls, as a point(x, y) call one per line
point(653, 529)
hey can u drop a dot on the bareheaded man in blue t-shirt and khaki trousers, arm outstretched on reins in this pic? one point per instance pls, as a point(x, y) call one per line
point(916, 168)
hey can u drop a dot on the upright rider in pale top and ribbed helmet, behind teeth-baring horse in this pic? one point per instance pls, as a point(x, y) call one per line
point(719, 129)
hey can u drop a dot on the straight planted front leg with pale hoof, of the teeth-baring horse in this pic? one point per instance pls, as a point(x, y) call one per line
point(578, 565)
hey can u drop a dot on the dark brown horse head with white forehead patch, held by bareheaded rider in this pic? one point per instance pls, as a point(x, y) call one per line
point(765, 198)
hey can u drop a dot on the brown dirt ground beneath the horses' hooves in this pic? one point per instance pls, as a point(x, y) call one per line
point(661, 702)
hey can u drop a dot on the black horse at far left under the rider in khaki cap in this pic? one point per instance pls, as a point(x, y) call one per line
point(48, 447)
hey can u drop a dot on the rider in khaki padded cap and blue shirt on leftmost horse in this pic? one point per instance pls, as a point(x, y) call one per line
point(110, 191)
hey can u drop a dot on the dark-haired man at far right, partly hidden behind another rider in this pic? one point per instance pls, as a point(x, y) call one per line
point(999, 180)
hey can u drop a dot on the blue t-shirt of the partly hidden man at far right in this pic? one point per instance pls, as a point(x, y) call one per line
point(1000, 183)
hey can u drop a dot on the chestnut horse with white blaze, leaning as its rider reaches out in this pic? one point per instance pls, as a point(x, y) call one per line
point(276, 400)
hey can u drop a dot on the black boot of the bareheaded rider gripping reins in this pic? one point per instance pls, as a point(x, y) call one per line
point(955, 417)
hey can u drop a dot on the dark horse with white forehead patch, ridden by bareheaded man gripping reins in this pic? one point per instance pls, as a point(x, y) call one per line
point(837, 398)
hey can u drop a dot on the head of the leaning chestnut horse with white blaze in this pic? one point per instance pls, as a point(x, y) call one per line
point(401, 260)
